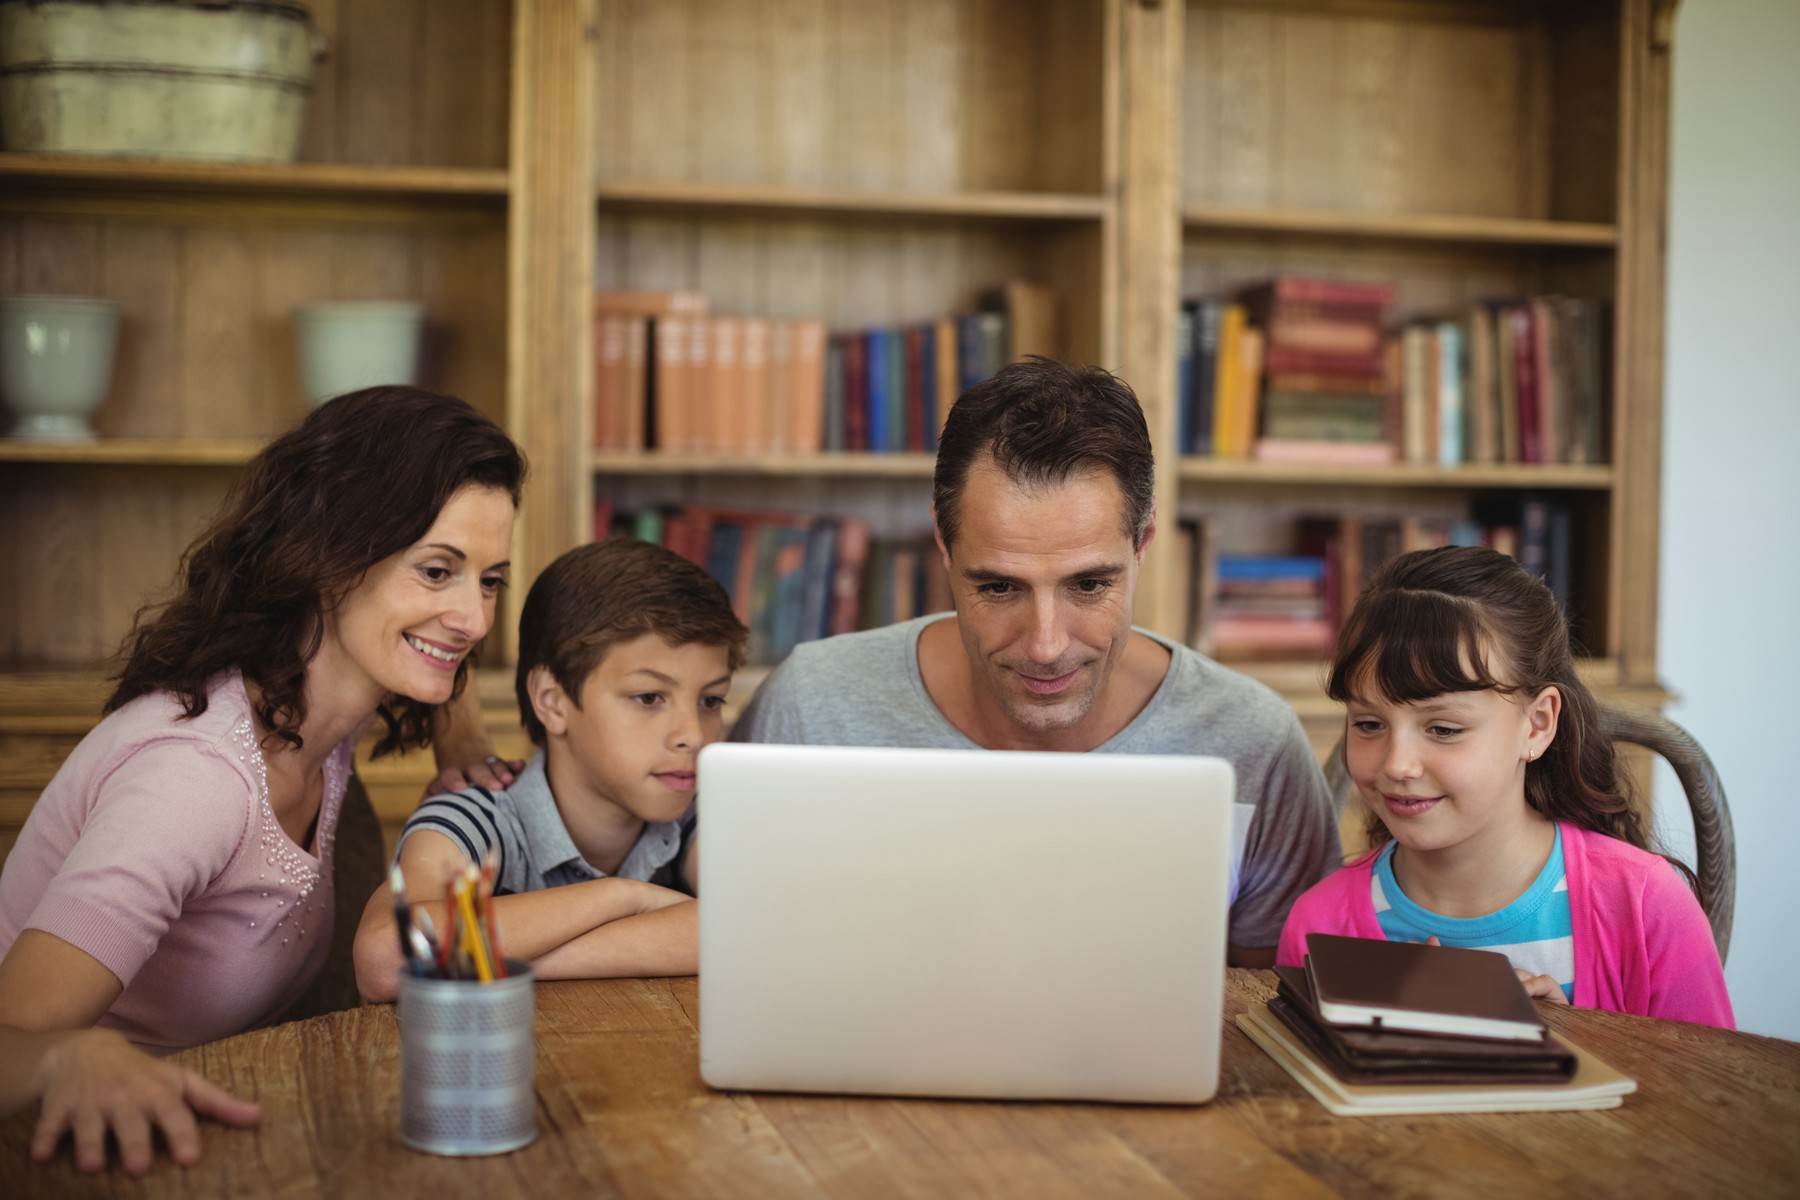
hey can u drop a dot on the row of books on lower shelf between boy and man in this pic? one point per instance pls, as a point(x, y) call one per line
point(795, 578)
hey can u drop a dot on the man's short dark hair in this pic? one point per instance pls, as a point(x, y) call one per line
point(1045, 422)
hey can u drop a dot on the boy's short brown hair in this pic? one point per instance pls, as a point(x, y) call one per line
point(607, 593)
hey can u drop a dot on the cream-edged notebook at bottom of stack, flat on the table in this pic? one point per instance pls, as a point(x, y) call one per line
point(1594, 1084)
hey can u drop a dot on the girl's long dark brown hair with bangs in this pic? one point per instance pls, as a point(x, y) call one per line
point(1432, 622)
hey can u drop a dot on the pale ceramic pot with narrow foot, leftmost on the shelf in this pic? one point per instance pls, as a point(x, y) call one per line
point(55, 363)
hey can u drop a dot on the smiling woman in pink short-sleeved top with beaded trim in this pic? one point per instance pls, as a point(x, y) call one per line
point(174, 882)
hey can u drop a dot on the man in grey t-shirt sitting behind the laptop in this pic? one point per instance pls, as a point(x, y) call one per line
point(1043, 506)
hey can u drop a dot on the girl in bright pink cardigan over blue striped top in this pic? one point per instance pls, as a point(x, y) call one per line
point(1498, 812)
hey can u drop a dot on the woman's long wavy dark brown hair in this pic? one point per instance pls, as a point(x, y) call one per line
point(361, 479)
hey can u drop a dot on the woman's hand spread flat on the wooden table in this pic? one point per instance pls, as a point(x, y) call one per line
point(94, 1082)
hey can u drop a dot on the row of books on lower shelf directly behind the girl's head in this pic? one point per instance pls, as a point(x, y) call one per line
point(1291, 605)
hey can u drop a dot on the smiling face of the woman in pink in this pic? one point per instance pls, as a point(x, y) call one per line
point(408, 627)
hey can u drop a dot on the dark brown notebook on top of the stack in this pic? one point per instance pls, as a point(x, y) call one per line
point(1398, 985)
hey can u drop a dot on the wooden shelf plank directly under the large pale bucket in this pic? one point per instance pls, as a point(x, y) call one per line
point(291, 179)
